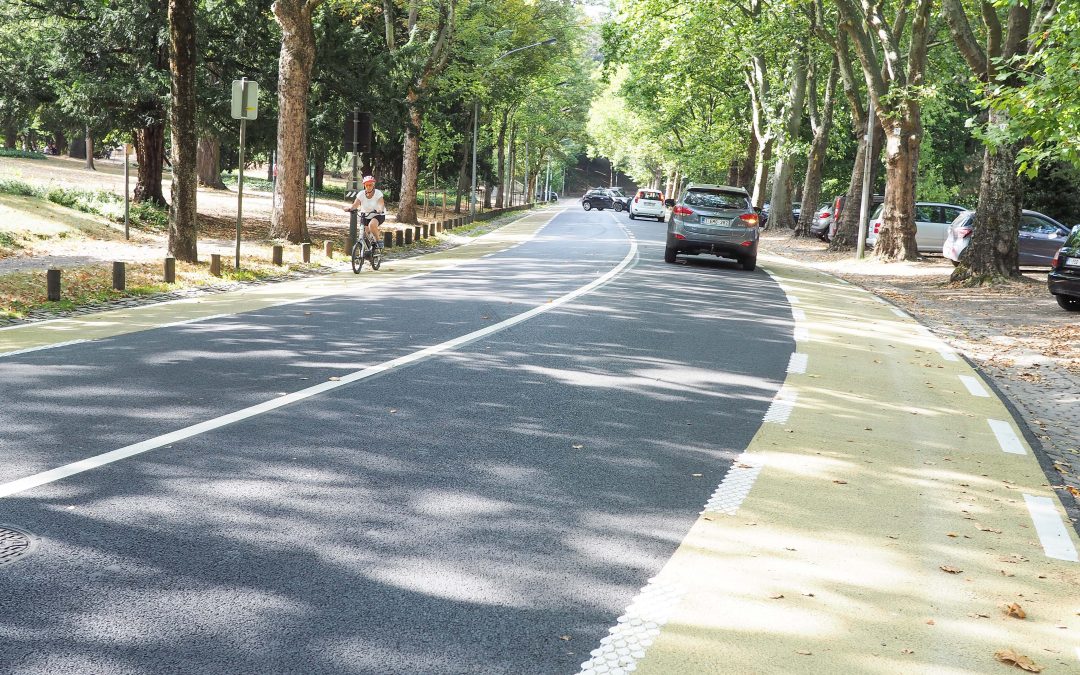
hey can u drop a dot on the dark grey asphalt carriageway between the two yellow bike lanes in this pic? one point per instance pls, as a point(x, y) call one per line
point(490, 509)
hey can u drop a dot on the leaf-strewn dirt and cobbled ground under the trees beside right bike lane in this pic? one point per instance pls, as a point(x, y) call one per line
point(1017, 334)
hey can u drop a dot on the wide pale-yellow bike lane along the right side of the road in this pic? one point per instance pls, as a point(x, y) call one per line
point(882, 521)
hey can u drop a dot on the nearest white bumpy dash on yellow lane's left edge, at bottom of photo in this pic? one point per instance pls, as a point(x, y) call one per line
point(636, 630)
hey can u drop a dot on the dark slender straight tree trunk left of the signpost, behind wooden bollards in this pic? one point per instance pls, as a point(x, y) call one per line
point(183, 215)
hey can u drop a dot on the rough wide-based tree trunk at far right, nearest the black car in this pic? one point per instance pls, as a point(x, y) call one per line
point(993, 254)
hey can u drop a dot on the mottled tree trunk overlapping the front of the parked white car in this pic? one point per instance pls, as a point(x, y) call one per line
point(897, 239)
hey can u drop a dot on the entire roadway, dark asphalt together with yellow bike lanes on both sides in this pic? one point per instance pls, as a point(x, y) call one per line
point(494, 461)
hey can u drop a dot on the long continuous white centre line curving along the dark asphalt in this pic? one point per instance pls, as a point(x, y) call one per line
point(52, 476)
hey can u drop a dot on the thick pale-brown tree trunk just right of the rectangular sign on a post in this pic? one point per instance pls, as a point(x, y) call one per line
point(290, 217)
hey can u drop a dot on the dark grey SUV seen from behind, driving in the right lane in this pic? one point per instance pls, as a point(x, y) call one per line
point(717, 220)
